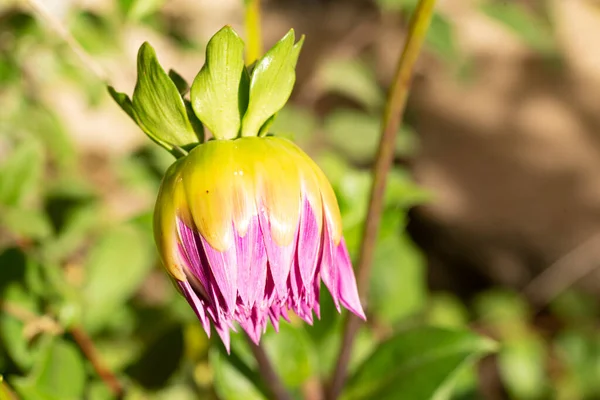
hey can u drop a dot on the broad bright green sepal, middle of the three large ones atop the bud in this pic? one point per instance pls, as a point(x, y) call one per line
point(219, 93)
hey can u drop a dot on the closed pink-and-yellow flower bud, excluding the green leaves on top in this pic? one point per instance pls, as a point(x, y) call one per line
point(248, 228)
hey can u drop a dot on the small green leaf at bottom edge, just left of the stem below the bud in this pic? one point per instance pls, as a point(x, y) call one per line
point(230, 383)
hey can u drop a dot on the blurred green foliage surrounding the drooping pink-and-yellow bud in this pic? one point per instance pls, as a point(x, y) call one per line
point(66, 259)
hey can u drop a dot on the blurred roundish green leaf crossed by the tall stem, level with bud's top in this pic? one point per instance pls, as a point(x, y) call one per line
point(356, 135)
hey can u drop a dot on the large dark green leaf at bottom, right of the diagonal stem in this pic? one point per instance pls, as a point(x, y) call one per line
point(420, 364)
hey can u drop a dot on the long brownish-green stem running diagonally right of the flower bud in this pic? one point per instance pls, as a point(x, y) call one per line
point(392, 118)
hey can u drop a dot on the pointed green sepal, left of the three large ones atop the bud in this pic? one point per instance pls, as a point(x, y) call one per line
point(159, 108)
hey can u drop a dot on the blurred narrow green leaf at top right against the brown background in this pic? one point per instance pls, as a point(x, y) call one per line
point(529, 27)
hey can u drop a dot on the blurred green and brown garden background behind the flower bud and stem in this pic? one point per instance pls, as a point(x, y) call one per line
point(492, 217)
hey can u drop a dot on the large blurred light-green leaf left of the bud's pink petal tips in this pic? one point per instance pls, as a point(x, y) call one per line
point(115, 268)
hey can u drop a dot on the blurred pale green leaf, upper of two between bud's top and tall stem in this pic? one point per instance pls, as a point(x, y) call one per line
point(353, 79)
